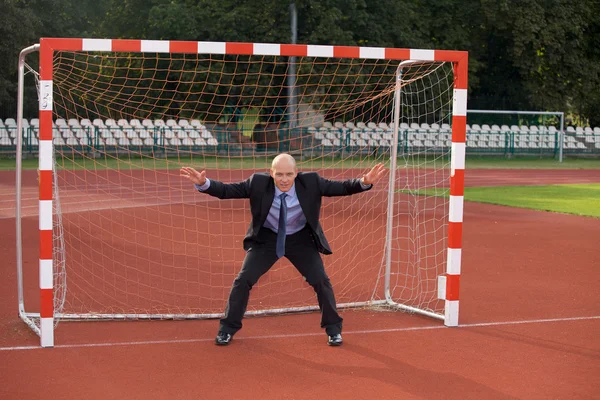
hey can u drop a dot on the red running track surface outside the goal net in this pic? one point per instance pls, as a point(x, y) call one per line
point(529, 308)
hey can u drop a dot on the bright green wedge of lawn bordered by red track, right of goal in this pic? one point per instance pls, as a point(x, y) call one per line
point(578, 199)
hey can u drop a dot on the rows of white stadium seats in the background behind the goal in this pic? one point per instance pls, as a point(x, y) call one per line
point(170, 133)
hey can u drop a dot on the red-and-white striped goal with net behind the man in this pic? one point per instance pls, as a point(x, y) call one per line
point(130, 239)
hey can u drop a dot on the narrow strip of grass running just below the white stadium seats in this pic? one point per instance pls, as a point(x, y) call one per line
point(263, 162)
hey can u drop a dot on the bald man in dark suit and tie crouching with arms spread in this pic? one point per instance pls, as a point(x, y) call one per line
point(285, 207)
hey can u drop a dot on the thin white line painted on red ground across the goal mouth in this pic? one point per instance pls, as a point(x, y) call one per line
point(414, 328)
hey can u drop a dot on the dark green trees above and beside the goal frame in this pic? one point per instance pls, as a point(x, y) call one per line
point(523, 54)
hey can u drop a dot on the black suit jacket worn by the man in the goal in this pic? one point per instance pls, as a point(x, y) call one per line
point(260, 189)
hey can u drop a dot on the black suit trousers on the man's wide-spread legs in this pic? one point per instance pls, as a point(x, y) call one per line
point(301, 250)
